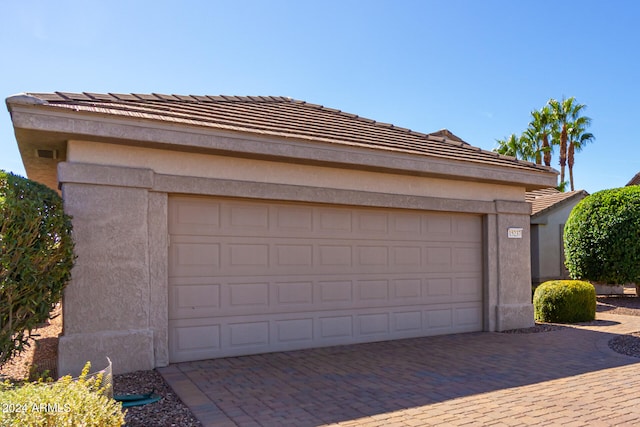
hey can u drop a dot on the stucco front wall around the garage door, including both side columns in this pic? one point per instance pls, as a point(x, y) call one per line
point(116, 303)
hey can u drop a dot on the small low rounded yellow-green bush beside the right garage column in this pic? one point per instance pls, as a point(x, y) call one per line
point(565, 301)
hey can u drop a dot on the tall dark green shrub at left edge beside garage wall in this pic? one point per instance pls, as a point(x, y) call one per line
point(36, 256)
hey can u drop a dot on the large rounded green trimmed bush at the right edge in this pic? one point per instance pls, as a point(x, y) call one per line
point(602, 237)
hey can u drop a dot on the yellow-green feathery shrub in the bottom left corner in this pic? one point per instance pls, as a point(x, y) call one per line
point(66, 402)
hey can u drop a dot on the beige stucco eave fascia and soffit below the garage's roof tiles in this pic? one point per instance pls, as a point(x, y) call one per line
point(36, 124)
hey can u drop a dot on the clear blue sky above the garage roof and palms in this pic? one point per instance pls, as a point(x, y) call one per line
point(475, 67)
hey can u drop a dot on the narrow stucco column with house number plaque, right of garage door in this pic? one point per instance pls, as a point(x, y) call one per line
point(512, 261)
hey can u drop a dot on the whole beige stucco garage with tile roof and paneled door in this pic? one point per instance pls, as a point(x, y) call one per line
point(220, 226)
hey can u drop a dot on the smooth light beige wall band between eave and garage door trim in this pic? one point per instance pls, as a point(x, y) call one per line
point(224, 167)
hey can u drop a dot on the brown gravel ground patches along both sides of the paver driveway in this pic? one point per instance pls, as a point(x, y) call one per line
point(170, 411)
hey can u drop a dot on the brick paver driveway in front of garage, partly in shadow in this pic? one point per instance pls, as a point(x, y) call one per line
point(566, 377)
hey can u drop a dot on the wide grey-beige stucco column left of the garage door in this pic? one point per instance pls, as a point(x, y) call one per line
point(107, 303)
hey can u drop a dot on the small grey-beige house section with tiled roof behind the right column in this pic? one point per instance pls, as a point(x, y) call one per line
point(550, 210)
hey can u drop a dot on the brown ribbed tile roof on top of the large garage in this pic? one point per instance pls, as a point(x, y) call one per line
point(281, 117)
